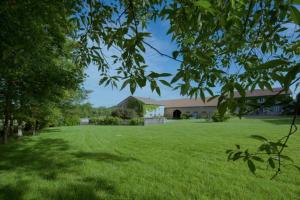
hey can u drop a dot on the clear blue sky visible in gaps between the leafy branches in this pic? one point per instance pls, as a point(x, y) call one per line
point(106, 96)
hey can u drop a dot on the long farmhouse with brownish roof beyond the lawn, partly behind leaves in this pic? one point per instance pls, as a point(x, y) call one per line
point(175, 108)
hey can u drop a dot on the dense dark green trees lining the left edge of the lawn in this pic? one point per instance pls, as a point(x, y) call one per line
point(38, 75)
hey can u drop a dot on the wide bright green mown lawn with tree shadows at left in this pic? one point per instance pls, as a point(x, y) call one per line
point(179, 160)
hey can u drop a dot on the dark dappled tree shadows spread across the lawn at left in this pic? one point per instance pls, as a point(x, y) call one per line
point(47, 158)
